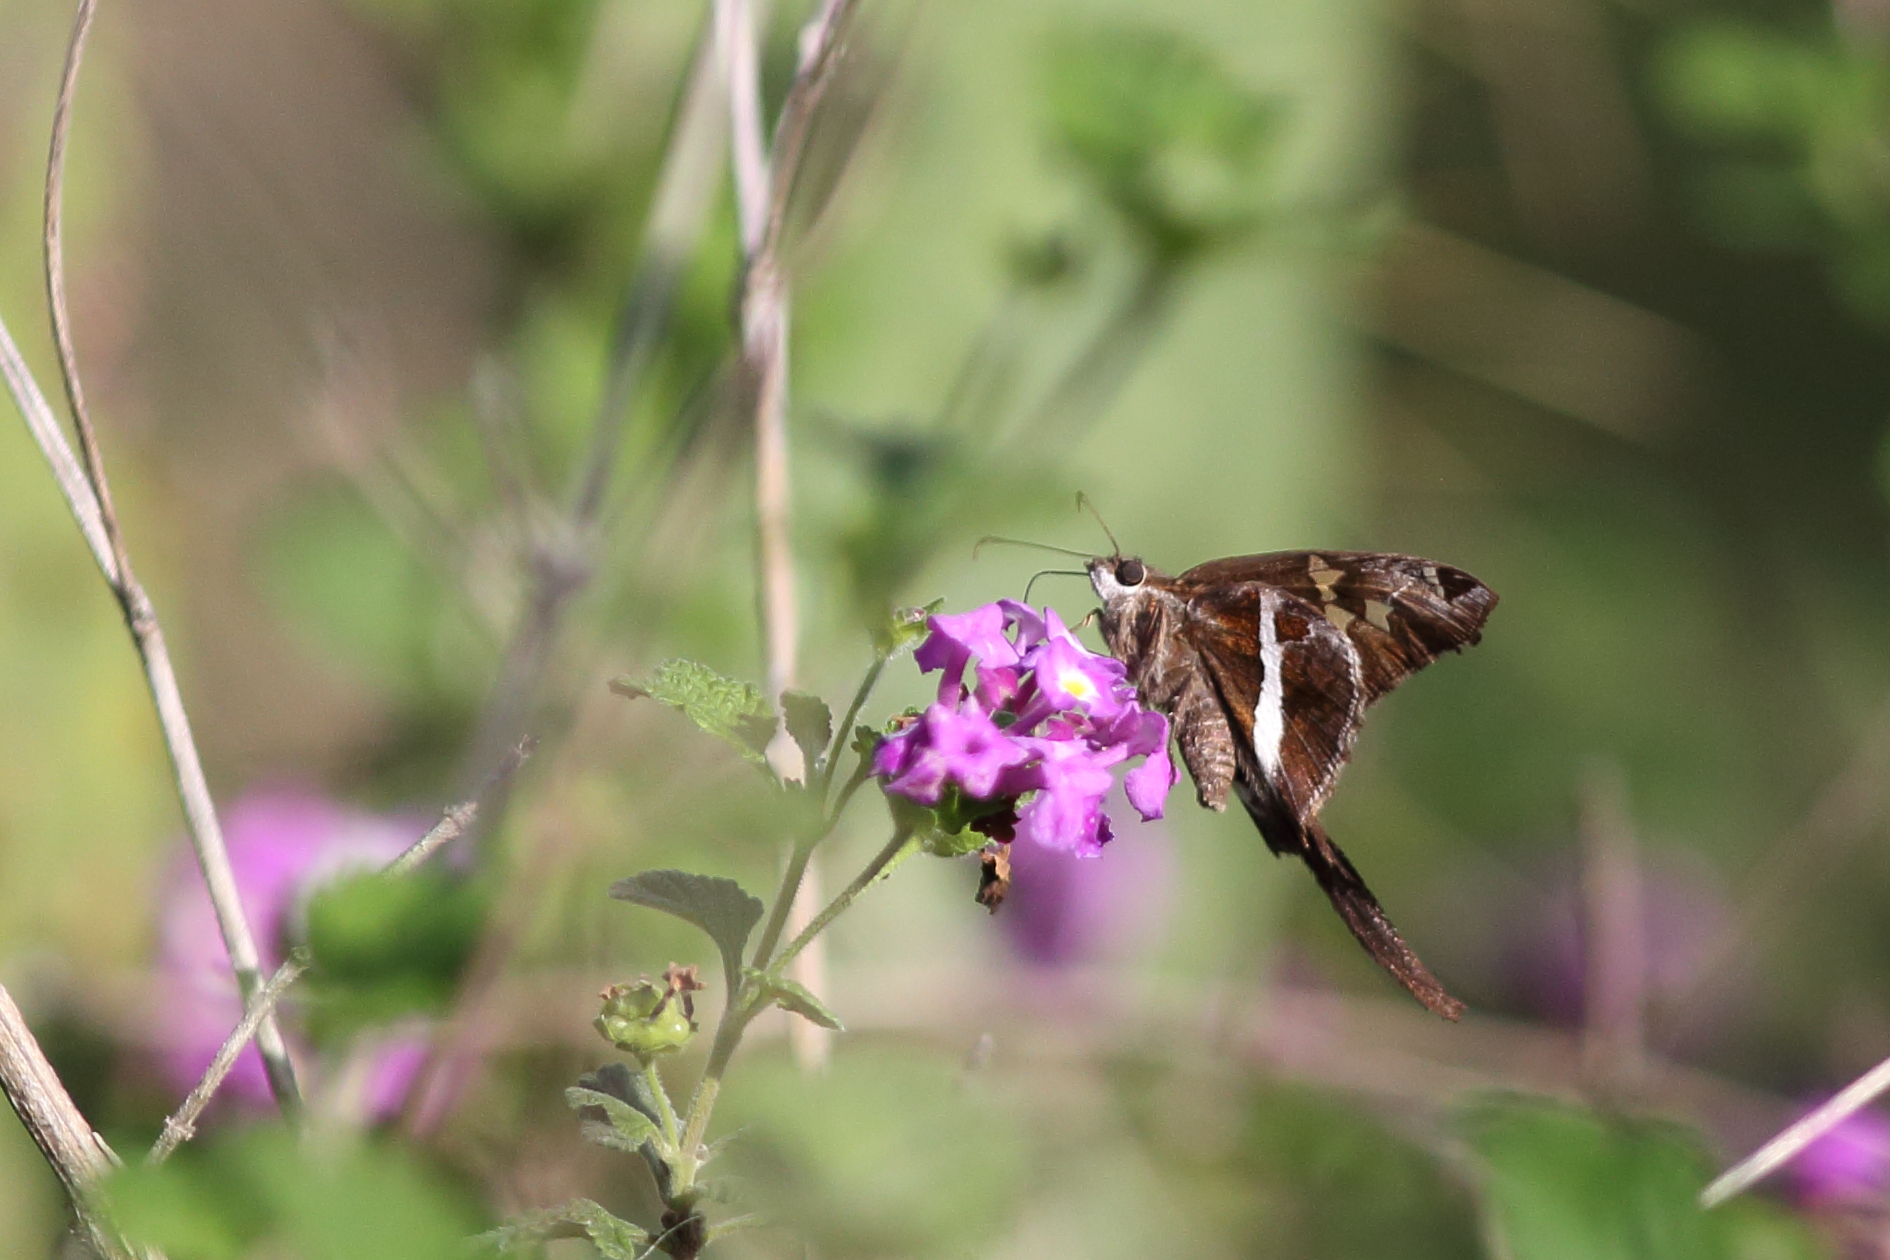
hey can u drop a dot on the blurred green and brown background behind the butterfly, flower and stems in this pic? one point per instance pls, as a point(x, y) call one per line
point(1589, 299)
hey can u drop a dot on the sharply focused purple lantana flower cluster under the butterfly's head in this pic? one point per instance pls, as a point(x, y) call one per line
point(1027, 732)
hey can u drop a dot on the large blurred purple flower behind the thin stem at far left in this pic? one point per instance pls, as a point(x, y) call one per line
point(284, 845)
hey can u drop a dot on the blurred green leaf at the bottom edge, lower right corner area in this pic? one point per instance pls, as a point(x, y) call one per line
point(1564, 1183)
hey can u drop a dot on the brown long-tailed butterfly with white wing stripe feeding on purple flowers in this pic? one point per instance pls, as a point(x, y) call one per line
point(1267, 664)
